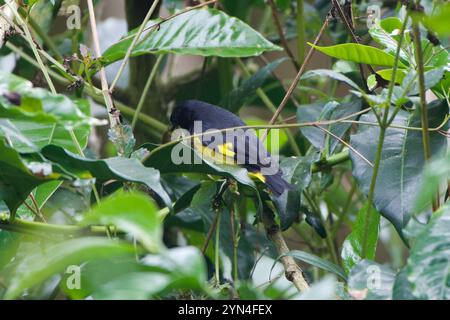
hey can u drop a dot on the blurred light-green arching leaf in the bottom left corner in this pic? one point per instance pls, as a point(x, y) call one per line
point(38, 265)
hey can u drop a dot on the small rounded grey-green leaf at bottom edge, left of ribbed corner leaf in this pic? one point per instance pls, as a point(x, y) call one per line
point(371, 281)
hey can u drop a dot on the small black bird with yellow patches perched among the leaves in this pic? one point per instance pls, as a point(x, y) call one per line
point(241, 145)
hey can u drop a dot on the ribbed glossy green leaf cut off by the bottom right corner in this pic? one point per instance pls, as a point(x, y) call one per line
point(428, 265)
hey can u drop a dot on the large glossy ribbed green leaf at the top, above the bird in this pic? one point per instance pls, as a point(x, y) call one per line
point(205, 32)
